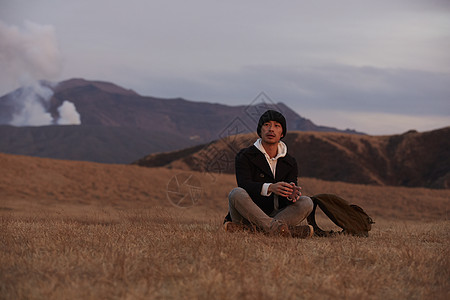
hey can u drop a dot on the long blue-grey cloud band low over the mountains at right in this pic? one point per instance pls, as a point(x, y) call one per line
point(332, 86)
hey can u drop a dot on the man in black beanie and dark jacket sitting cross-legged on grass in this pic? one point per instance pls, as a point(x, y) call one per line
point(267, 197)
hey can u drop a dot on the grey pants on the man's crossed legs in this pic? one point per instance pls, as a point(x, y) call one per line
point(244, 210)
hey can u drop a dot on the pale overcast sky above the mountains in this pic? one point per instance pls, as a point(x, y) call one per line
point(381, 66)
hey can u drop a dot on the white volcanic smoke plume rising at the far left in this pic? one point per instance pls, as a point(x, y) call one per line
point(28, 55)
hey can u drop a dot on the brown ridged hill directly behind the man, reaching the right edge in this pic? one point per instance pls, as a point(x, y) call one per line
point(410, 159)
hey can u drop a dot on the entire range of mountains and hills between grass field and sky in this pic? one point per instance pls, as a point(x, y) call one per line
point(120, 126)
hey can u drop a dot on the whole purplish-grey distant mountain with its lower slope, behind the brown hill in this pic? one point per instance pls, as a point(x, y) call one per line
point(119, 126)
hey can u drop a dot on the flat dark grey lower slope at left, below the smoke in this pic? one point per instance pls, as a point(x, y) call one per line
point(87, 143)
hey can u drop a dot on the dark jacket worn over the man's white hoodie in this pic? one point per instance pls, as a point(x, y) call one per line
point(252, 171)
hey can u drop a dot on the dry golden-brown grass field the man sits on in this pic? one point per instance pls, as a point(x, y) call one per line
point(77, 230)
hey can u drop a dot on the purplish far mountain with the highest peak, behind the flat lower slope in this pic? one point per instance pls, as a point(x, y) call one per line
point(101, 103)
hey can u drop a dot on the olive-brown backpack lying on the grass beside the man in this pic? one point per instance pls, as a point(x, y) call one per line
point(351, 218)
